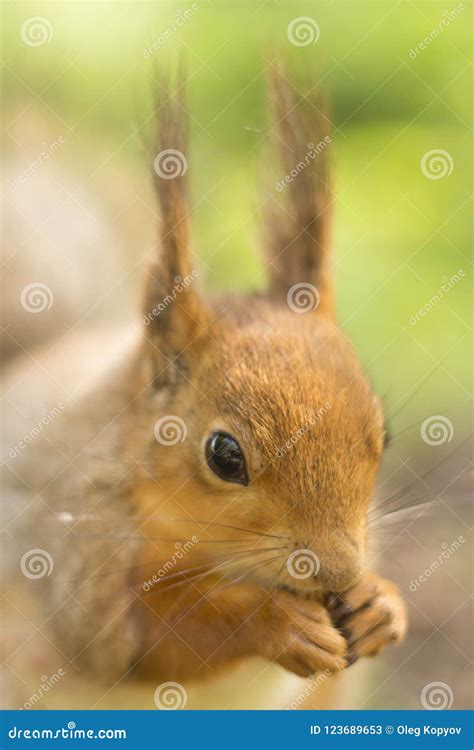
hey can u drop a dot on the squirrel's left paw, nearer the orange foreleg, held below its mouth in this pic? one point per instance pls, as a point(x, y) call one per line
point(301, 637)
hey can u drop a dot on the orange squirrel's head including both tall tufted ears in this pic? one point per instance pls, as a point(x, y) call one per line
point(265, 420)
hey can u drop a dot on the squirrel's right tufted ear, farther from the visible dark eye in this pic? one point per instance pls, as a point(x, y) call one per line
point(298, 224)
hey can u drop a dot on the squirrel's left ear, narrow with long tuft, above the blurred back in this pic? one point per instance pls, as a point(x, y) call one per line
point(175, 316)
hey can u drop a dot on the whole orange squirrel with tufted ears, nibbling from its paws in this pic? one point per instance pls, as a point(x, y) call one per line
point(202, 496)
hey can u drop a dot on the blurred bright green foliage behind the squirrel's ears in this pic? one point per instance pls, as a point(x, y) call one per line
point(397, 233)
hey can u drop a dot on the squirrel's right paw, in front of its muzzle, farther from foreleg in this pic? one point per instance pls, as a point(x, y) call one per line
point(370, 615)
